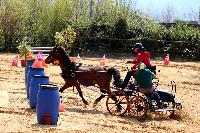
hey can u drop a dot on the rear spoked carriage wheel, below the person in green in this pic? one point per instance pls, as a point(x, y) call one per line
point(137, 106)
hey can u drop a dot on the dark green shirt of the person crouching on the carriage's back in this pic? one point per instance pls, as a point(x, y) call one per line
point(144, 78)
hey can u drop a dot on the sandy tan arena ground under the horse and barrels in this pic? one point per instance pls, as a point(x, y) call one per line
point(15, 115)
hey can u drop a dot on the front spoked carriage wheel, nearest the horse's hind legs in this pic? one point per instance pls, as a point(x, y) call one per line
point(117, 103)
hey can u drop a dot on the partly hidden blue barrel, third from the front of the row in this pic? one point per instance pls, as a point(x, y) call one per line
point(31, 72)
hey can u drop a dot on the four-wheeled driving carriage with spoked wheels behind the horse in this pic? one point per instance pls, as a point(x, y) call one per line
point(130, 101)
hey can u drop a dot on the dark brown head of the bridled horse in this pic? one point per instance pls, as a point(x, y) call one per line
point(56, 54)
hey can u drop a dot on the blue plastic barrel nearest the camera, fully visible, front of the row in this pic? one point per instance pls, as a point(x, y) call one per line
point(48, 104)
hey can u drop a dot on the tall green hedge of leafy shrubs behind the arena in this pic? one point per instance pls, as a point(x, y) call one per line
point(40, 20)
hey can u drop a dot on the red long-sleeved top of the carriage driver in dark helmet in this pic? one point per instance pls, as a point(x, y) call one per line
point(141, 57)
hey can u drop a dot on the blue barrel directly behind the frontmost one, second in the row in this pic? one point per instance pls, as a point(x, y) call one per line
point(34, 87)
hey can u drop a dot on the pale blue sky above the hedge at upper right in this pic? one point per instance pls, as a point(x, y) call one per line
point(179, 9)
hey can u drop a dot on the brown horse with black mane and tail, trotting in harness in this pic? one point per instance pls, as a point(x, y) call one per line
point(76, 75)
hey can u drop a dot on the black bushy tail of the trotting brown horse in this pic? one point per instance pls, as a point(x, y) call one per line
point(117, 77)
